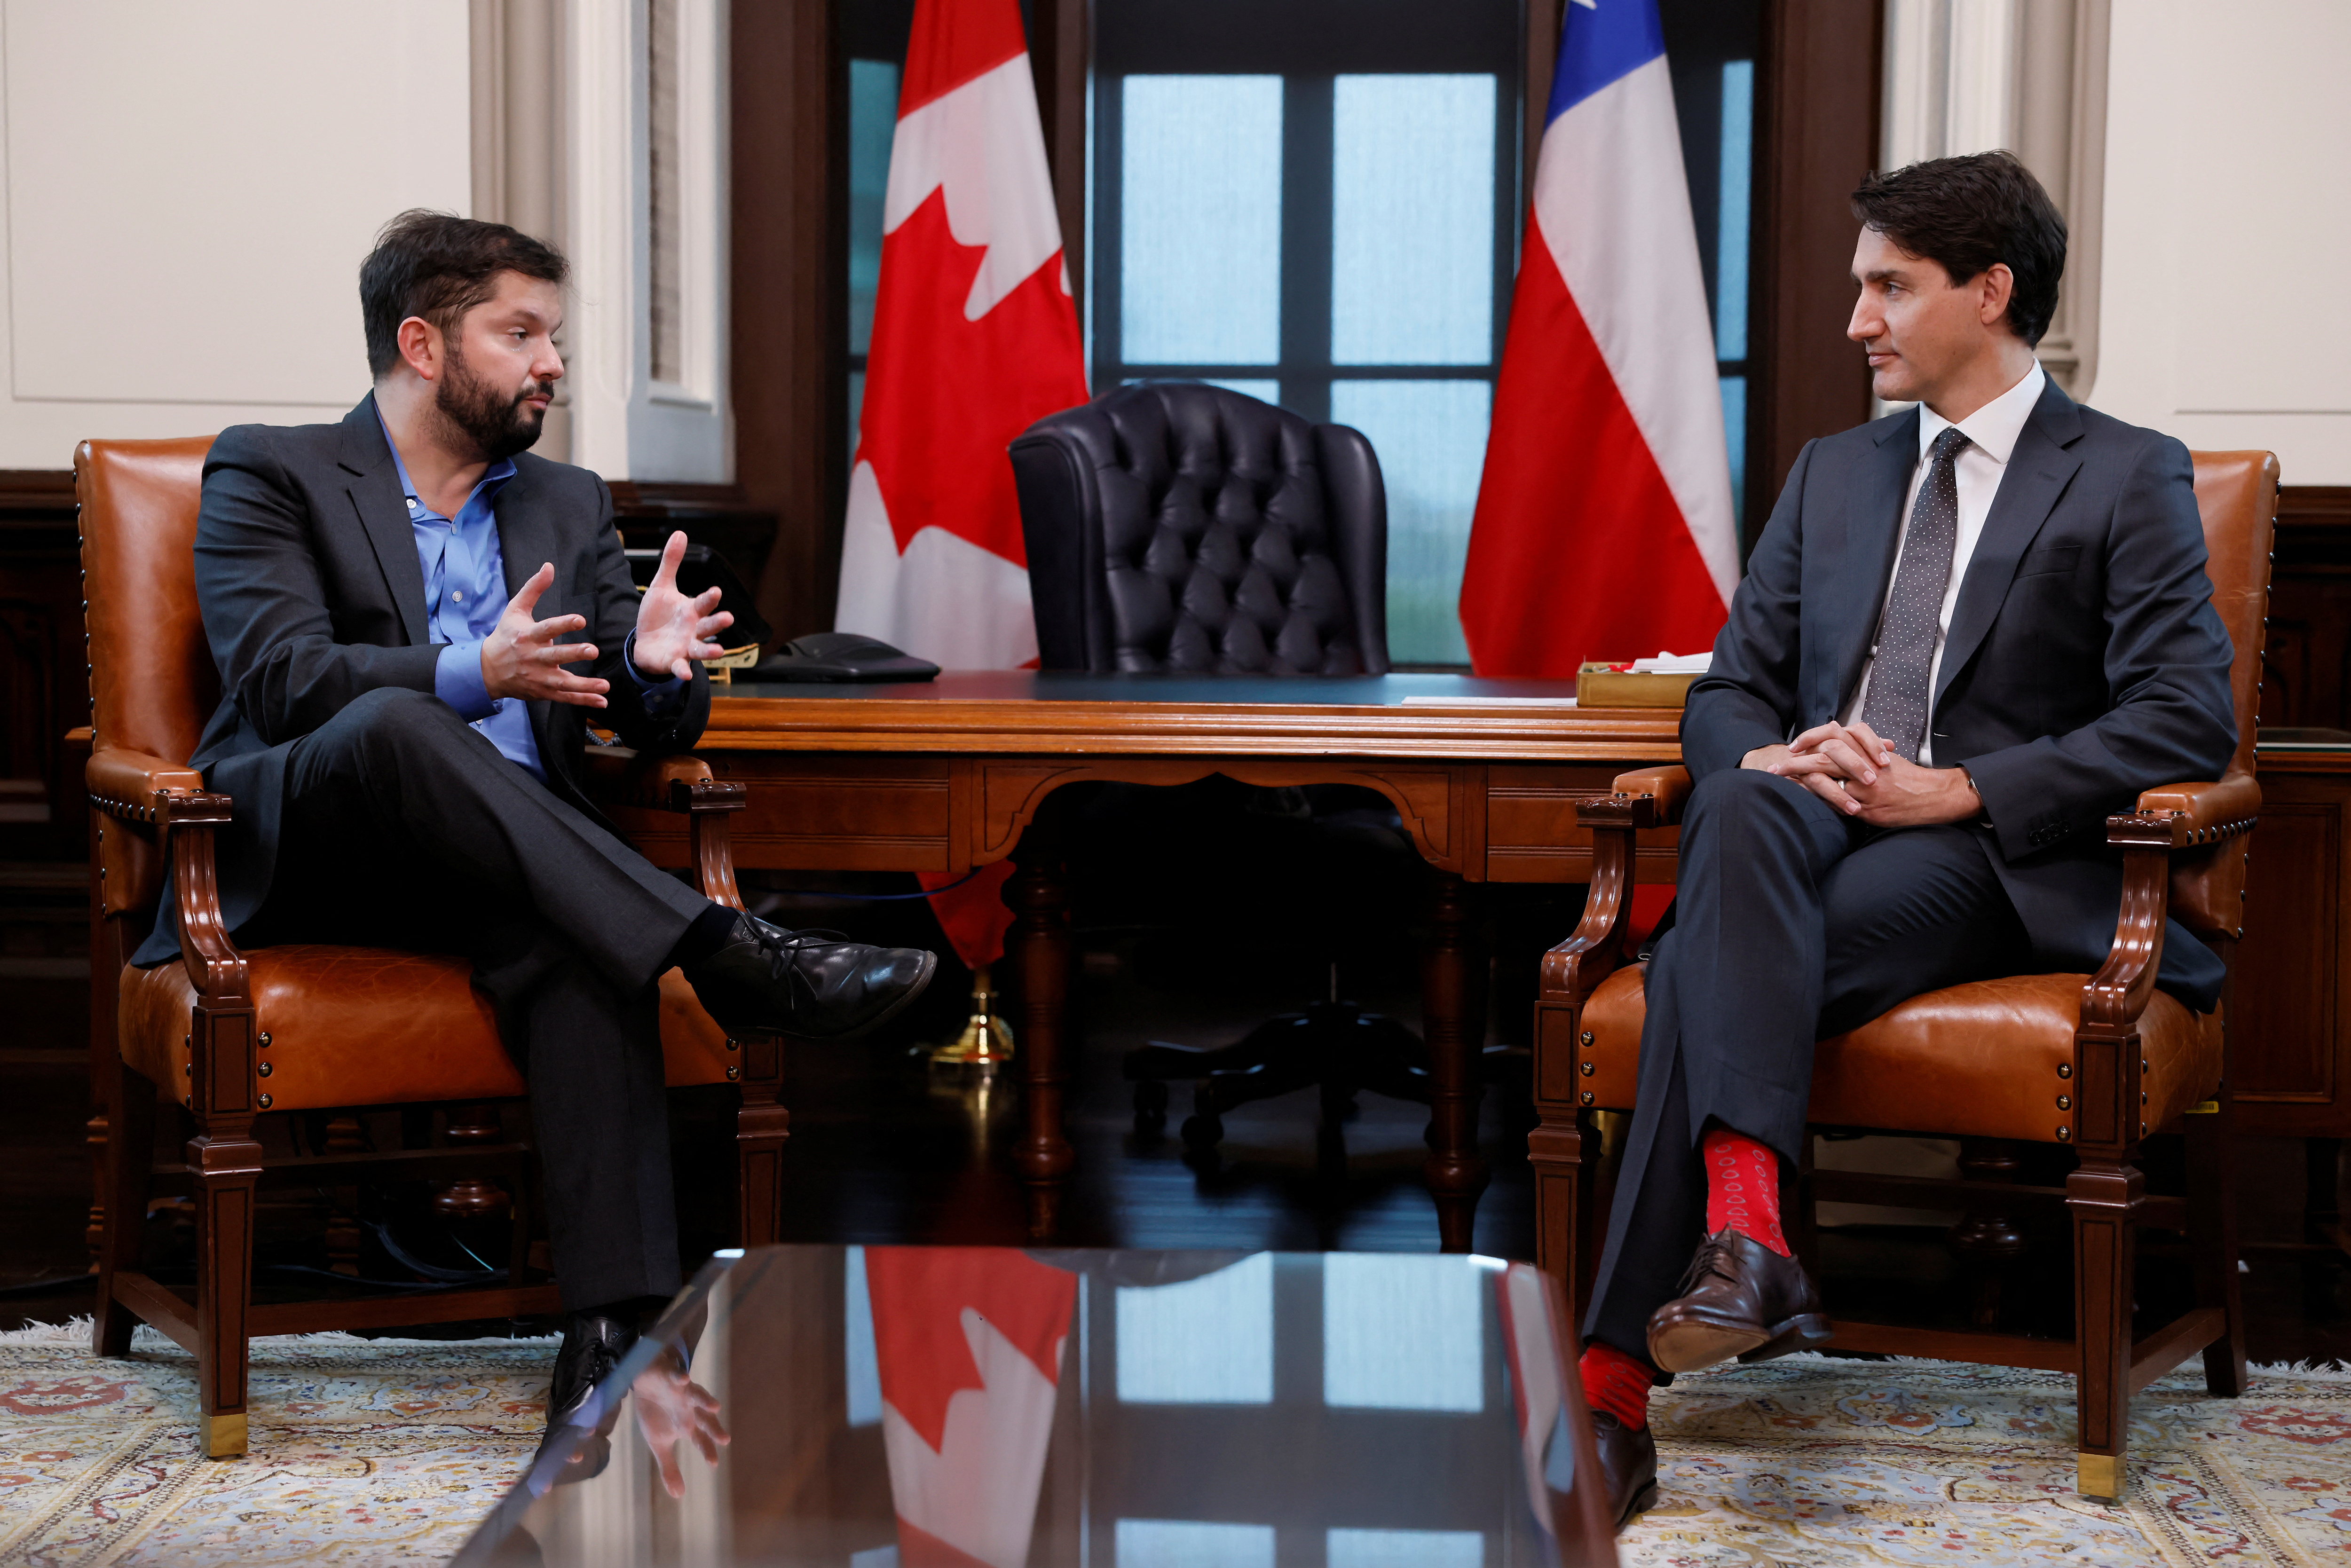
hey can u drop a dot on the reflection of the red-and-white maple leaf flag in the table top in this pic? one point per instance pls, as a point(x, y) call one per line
point(967, 1343)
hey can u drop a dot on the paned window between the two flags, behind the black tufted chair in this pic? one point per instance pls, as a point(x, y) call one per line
point(1315, 203)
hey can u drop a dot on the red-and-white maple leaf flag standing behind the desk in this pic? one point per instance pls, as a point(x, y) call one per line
point(974, 342)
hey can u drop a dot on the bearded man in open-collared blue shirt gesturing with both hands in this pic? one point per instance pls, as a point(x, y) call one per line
point(415, 619)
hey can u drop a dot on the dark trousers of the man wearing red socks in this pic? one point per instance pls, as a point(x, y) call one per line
point(1790, 925)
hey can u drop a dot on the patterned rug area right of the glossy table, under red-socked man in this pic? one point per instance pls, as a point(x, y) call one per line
point(1814, 1463)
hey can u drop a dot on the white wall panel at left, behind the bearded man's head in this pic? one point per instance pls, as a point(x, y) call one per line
point(189, 192)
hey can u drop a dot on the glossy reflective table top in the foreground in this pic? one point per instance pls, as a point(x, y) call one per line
point(913, 1407)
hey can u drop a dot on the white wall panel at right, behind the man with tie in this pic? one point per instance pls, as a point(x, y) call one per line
point(2225, 225)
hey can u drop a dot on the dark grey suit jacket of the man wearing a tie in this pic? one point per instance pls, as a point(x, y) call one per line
point(2084, 659)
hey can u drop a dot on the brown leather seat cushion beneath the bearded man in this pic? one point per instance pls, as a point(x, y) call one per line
point(375, 1026)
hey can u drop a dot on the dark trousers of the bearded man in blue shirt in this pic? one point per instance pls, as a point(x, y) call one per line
point(406, 829)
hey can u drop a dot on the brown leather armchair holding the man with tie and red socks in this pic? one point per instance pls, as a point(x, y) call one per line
point(2087, 1061)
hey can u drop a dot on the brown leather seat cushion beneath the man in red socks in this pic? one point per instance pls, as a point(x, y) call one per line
point(1971, 1061)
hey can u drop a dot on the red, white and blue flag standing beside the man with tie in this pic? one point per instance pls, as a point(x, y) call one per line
point(1605, 516)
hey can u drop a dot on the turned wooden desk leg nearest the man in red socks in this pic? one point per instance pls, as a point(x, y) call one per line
point(1454, 1024)
